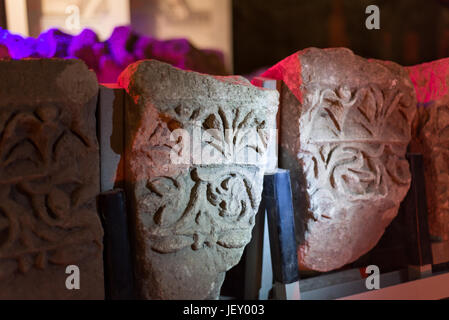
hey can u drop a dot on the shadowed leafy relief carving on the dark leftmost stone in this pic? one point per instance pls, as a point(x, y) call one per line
point(44, 204)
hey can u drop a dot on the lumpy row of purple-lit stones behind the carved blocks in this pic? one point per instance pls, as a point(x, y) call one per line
point(112, 56)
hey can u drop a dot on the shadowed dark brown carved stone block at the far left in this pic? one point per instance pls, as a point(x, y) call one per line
point(49, 178)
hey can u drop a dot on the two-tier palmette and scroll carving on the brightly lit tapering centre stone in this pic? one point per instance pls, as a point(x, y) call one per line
point(180, 221)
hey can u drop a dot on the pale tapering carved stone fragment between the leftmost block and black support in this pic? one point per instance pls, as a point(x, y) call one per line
point(192, 218)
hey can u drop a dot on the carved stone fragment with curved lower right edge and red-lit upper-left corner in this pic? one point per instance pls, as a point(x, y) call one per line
point(345, 126)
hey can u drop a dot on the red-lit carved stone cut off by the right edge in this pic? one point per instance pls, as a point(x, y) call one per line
point(431, 138)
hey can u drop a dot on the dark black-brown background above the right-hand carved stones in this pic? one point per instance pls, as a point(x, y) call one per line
point(266, 31)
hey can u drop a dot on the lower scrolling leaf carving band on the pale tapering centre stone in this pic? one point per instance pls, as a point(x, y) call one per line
point(230, 204)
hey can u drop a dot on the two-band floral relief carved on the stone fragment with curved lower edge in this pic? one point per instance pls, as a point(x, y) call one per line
point(339, 163)
